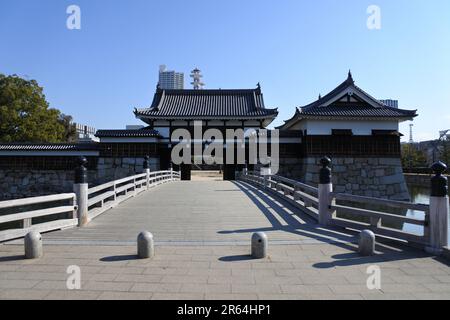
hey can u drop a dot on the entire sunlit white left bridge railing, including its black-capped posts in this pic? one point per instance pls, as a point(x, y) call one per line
point(60, 211)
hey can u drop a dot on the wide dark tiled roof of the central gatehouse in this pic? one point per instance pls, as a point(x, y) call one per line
point(204, 104)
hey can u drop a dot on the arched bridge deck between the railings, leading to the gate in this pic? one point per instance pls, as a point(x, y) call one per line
point(200, 212)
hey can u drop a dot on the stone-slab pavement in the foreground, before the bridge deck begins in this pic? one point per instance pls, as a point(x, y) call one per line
point(313, 271)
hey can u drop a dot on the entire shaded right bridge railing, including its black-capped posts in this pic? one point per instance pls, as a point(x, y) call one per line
point(356, 213)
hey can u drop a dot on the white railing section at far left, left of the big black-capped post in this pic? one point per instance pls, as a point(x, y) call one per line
point(40, 214)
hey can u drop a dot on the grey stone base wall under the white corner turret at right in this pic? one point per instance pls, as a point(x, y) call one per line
point(372, 177)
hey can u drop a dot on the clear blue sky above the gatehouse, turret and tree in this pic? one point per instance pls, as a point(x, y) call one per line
point(296, 49)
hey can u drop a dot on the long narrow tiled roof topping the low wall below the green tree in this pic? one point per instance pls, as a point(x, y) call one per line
point(49, 147)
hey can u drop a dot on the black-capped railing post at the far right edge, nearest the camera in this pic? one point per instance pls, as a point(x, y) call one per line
point(439, 210)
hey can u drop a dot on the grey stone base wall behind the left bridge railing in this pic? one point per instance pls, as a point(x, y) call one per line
point(16, 184)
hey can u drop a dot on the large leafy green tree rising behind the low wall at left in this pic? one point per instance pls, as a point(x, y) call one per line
point(25, 115)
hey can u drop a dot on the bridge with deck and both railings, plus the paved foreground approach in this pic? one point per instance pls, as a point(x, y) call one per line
point(202, 231)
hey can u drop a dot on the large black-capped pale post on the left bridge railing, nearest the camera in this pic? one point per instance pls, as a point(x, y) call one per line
point(80, 188)
